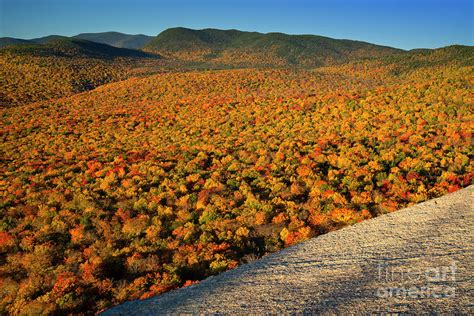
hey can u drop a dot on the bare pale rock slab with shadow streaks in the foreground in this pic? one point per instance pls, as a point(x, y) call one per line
point(419, 259)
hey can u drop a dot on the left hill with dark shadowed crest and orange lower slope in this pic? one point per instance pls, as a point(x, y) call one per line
point(61, 67)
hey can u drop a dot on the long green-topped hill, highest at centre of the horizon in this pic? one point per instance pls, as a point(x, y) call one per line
point(257, 49)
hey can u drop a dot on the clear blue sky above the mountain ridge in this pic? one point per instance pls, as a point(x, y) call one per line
point(400, 23)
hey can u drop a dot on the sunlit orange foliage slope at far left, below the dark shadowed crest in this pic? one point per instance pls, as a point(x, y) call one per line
point(26, 79)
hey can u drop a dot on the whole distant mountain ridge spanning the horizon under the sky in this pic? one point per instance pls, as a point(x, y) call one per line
point(214, 48)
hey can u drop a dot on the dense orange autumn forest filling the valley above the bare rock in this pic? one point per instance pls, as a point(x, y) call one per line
point(149, 184)
